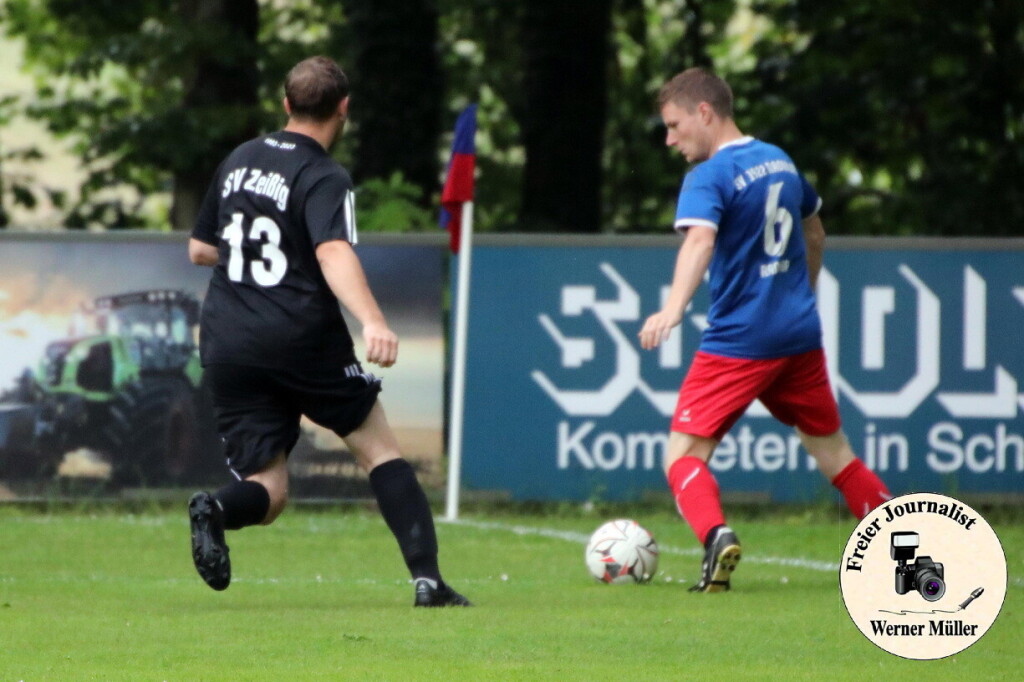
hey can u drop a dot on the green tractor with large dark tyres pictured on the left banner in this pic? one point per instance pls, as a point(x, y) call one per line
point(125, 388)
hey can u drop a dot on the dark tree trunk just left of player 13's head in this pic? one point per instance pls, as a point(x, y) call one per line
point(224, 92)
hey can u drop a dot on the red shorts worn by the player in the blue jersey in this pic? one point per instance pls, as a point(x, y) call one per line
point(718, 391)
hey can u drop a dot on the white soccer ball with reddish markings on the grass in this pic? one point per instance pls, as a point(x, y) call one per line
point(622, 551)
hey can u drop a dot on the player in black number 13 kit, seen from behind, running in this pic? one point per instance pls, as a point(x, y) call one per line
point(278, 227)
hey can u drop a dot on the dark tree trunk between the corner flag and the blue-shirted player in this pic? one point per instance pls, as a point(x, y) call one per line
point(566, 51)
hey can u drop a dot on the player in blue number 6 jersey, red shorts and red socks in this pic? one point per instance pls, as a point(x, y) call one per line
point(751, 218)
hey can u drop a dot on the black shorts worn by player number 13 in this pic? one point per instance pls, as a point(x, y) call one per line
point(259, 409)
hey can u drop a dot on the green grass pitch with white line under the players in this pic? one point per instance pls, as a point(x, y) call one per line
point(323, 595)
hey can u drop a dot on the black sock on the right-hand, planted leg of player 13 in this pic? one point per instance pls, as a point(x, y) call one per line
point(405, 508)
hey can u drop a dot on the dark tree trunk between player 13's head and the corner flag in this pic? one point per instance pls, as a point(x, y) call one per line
point(398, 91)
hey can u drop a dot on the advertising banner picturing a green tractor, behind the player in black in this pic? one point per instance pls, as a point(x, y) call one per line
point(102, 390)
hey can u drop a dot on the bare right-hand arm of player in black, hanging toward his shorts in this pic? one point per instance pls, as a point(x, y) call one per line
point(349, 283)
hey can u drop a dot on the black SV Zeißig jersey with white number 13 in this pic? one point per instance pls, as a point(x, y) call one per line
point(273, 202)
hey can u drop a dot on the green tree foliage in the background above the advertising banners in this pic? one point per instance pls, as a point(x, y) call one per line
point(908, 116)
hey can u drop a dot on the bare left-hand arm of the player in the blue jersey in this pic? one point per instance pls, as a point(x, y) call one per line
point(692, 265)
